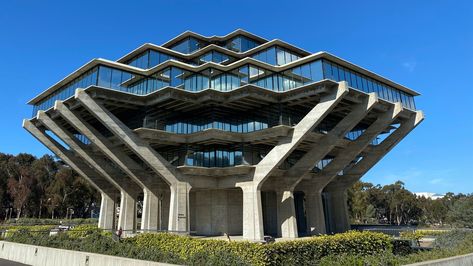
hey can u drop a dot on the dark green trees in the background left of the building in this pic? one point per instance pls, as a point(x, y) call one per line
point(39, 187)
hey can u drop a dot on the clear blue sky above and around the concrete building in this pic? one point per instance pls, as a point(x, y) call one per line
point(424, 45)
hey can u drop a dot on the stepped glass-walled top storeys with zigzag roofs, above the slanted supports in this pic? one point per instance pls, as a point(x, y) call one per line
point(194, 63)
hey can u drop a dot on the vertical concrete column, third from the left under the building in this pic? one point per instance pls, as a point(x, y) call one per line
point(149, 218)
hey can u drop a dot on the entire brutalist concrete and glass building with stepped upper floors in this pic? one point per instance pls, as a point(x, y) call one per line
point(218, 135)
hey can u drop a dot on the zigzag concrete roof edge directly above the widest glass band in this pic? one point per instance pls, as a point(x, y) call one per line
point(246, 60)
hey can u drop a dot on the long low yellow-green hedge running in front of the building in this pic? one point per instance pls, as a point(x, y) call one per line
point(190, 251)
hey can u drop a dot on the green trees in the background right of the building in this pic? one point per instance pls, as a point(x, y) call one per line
point(394, 204)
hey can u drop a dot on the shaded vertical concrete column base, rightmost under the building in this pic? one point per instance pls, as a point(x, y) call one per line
point(339, 210)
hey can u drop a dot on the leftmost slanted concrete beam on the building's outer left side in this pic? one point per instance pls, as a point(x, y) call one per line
point(70, 159)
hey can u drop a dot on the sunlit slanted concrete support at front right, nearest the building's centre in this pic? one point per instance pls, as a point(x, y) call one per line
point(287, 144)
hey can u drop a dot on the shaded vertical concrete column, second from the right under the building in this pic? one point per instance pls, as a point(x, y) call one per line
point(315, 213)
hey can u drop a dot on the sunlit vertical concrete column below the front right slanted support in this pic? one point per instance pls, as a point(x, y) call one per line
point(253, 228)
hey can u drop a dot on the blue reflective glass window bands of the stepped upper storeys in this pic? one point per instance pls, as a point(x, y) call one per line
point(211, 78)
